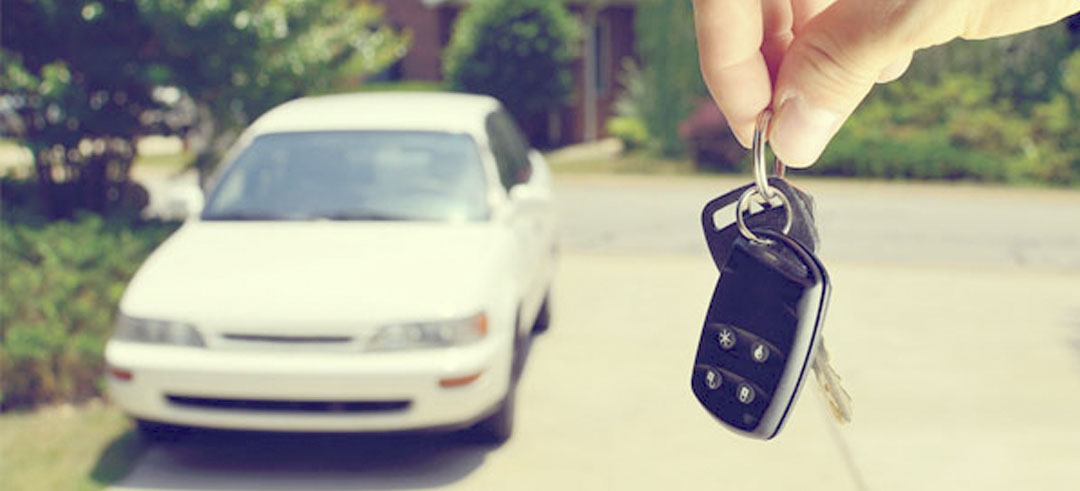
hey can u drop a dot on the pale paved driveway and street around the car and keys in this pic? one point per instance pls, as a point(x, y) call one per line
point(955, 322)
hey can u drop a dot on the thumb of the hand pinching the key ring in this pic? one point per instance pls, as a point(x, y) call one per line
point(836, 59)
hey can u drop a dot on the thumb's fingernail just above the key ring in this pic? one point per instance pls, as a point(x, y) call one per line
point(801, 133)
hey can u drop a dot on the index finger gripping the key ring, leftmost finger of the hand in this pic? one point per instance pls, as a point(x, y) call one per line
point(730, 48)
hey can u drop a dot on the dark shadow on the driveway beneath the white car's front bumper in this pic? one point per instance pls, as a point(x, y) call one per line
point(267, 461)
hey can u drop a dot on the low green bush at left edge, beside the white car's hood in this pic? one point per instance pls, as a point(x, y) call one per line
point(61, 283)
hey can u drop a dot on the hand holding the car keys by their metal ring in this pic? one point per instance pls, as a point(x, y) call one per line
point(815, 61)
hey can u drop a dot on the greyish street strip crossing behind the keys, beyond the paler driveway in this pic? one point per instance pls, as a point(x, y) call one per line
point(863, 223)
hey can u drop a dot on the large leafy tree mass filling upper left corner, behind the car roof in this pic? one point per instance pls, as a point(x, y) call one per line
point(83, 81)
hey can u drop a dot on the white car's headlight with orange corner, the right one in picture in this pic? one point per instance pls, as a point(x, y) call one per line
point(430, 335)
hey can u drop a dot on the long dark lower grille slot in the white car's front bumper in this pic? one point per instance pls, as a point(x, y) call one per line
point(291, 406)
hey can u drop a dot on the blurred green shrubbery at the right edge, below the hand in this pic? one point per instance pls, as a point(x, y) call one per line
point(1000, 111)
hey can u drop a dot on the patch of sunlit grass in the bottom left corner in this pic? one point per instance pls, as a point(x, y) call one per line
point(71, 448)
